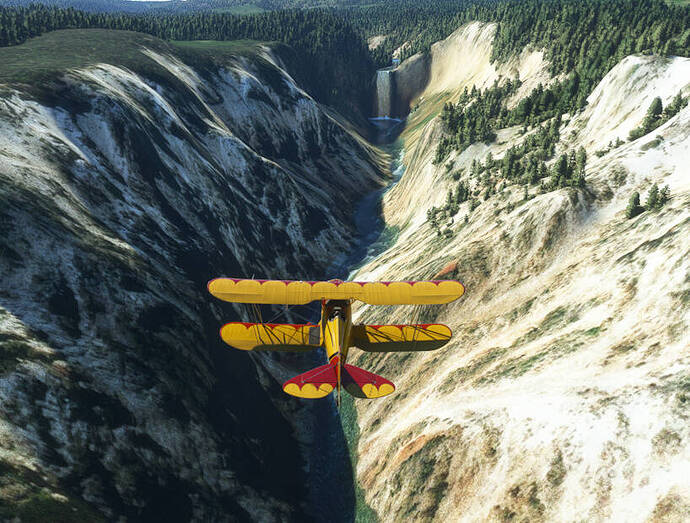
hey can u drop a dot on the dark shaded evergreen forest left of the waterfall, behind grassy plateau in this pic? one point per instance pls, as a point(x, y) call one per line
point(329, 57)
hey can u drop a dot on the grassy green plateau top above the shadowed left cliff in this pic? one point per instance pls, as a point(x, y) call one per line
point(46, 56)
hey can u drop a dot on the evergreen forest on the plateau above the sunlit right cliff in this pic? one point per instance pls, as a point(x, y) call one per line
point(587, 37)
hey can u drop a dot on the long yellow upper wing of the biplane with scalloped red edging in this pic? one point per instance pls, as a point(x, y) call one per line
point(301, 292)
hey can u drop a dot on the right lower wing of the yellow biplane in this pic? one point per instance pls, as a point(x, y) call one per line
point(396, 338)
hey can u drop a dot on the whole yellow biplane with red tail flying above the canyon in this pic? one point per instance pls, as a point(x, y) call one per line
point(335, 331)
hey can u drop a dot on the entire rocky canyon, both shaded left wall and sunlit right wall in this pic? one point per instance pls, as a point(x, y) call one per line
point(564, 390)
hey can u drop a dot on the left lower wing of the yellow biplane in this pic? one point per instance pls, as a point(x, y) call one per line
point(271, 336)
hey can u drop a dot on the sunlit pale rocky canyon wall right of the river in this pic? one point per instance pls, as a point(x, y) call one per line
point(565, 390)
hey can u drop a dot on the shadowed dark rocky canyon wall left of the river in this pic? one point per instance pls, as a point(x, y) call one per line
point(121, 194)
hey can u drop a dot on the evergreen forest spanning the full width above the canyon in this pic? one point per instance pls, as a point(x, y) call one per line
point(332, 59)
